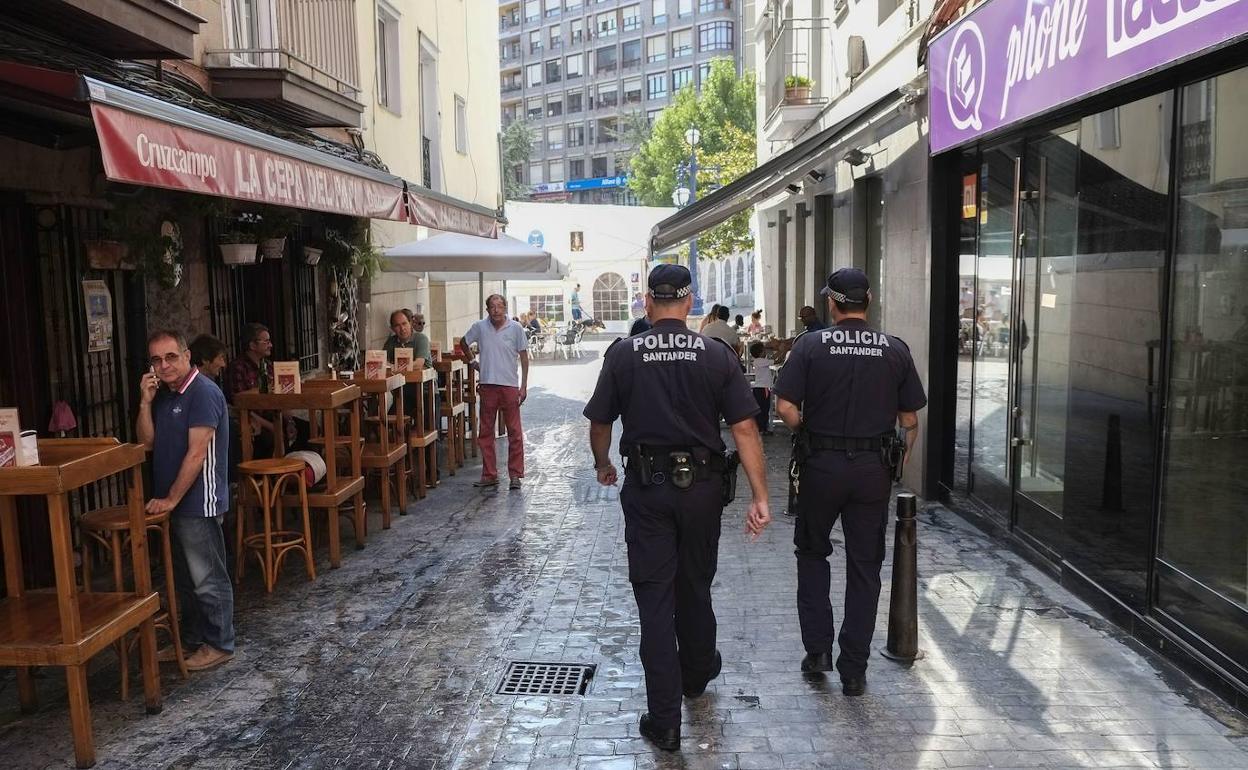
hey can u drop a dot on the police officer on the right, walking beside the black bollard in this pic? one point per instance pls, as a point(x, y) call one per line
point(844, 391)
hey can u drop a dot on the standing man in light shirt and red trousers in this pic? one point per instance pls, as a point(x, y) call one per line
point(501, 344)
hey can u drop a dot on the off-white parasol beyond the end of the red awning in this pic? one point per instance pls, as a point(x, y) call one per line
point(462, 254)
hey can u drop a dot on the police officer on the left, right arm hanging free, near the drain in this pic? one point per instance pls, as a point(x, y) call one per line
point(672, 386)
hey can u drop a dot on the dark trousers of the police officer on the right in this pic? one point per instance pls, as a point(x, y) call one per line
point(854, 487)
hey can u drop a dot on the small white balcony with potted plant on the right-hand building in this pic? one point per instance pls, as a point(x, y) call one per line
point(794, 64)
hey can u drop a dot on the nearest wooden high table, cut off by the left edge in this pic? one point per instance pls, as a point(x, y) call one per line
point(69, 628)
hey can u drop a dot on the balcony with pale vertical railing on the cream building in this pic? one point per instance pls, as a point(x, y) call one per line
point(301, 66)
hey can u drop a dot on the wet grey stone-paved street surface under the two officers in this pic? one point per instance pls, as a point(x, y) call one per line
point(392, 661)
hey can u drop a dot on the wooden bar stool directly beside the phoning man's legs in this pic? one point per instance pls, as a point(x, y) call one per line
point(109, 529)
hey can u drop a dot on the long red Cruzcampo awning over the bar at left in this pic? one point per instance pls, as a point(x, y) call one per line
point(155, 143)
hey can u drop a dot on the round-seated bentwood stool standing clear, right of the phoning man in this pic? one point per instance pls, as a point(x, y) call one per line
point(268, 477)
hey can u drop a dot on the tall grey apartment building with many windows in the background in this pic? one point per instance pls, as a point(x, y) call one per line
point(580, 72)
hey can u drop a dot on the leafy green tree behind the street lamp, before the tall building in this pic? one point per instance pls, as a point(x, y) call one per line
point(723, 113)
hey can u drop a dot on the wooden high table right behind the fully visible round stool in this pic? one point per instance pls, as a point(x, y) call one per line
point(325, 396)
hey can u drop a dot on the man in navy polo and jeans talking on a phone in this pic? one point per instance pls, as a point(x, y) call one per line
point(183, 420)
